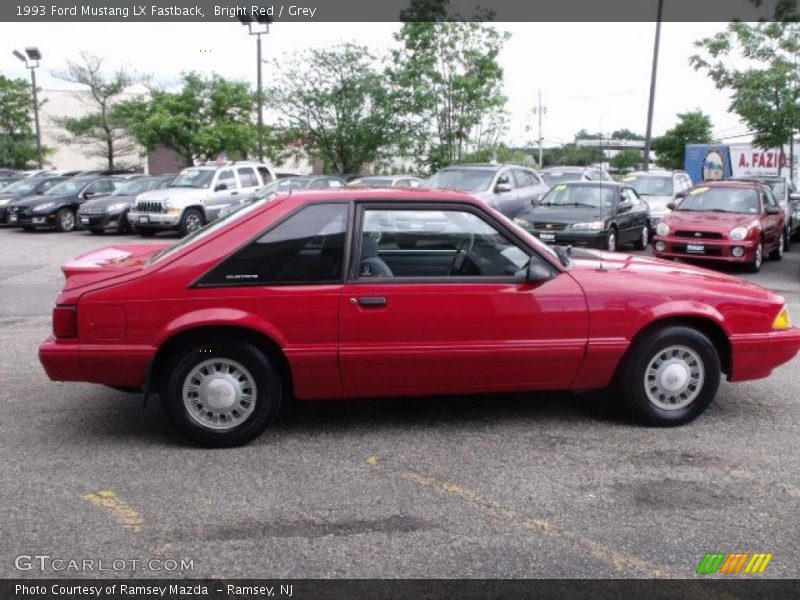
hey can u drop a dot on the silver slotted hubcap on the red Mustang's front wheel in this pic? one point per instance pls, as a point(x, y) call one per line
point(674, 378)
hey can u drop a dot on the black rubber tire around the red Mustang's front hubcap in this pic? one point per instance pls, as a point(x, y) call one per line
point(631, 379)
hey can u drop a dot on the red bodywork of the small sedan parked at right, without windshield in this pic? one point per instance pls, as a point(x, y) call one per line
point(684, 225)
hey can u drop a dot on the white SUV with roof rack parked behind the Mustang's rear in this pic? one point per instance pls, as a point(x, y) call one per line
point(196, 197)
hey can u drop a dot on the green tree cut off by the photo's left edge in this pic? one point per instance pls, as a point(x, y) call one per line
point(17, 138)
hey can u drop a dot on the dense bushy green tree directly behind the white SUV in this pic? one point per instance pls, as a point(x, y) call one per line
point(208, 116)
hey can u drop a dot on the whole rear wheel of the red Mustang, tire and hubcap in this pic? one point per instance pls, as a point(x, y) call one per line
point(239, 366)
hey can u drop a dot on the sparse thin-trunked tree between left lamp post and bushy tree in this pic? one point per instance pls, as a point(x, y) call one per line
point(102, 131)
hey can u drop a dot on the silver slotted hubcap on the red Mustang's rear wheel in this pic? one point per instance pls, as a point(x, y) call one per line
point(219, 394)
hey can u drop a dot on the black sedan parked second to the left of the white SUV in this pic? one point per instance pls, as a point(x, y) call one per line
point(56, 208)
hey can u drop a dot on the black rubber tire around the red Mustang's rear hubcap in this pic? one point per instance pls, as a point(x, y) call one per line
point(269, 392)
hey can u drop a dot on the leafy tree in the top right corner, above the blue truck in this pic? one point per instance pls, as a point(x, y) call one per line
point(765, 88)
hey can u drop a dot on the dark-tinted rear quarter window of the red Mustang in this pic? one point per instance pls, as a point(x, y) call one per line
point(308, 247)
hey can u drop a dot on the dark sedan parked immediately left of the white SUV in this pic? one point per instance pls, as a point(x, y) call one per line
point(111, 212)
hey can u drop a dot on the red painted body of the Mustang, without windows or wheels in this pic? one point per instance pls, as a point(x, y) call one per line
point(430, 337)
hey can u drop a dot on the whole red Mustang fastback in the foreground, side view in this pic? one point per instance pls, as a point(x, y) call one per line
point(371, 292)
